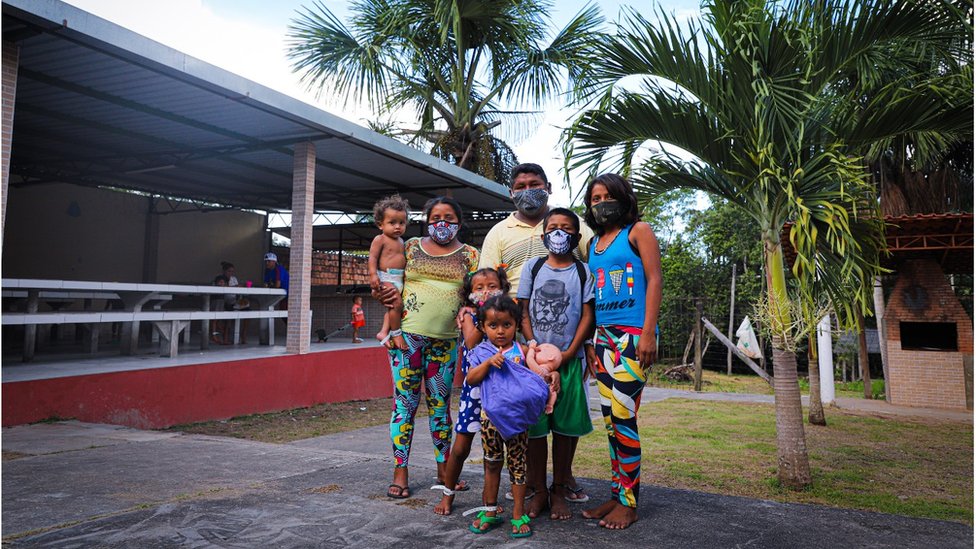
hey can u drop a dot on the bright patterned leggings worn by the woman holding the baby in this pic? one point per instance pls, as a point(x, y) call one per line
point(430, 361)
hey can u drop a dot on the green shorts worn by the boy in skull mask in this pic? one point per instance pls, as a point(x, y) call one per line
point(571, 413)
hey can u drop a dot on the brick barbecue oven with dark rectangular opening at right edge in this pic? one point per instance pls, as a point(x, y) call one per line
point(932, 379)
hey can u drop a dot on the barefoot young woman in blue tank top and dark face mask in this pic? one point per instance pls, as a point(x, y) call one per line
point(625, 258)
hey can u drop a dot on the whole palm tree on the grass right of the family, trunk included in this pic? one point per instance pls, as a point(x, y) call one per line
point(752, 91)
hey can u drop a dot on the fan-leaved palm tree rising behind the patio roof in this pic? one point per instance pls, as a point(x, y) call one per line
point(455, 62)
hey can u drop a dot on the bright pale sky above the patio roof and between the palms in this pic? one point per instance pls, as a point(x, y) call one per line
point(248, 38)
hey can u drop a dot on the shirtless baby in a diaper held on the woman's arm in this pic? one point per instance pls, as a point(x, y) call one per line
point(387, 261)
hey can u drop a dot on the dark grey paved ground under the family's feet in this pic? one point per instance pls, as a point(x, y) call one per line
point(88, 485)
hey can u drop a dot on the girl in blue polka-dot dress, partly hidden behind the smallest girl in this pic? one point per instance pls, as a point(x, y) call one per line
point(477, 288)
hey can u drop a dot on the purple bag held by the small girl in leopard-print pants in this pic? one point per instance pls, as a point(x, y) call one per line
point(512, 396)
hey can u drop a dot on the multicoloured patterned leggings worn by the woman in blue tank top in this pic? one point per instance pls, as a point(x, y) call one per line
point(621, 379)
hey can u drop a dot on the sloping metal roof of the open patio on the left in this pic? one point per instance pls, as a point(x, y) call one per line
point(99, 105)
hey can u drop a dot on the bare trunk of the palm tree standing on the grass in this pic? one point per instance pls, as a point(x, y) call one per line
point(791, 446)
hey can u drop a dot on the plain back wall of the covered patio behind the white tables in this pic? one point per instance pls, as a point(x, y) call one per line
point(62, 231)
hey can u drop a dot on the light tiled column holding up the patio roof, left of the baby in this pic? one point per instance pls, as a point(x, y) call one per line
point(300, 265)
